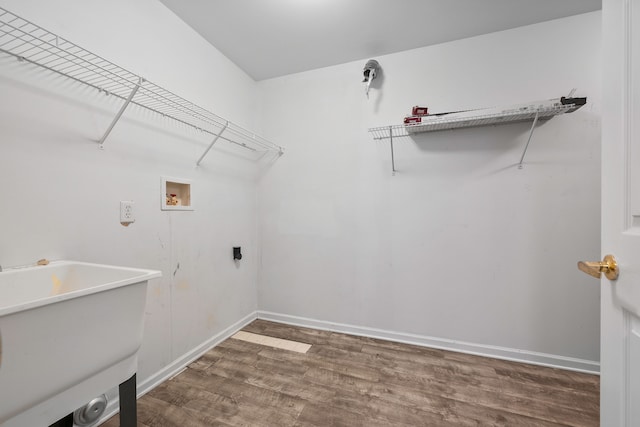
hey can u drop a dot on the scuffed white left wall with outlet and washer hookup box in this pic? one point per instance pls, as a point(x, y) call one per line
point(61, 193)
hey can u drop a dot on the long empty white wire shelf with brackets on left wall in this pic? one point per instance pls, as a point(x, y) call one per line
point(33, 44)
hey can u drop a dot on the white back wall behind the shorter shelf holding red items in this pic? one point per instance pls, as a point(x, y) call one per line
point(460, 245)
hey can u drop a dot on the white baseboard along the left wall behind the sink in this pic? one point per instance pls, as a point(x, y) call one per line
point(179, 364)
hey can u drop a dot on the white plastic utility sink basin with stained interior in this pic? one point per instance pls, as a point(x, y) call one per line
point(69, 331)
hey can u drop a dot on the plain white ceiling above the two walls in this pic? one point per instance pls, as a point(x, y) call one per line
point(271, 38)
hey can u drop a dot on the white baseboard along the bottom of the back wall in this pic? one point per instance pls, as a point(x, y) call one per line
point(516, 355)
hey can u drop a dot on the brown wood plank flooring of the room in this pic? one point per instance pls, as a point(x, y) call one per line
point(350, 381)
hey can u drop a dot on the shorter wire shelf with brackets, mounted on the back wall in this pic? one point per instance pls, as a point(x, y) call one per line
point(536, 111)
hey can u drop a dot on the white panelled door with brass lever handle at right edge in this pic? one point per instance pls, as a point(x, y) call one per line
point(620, 303)
